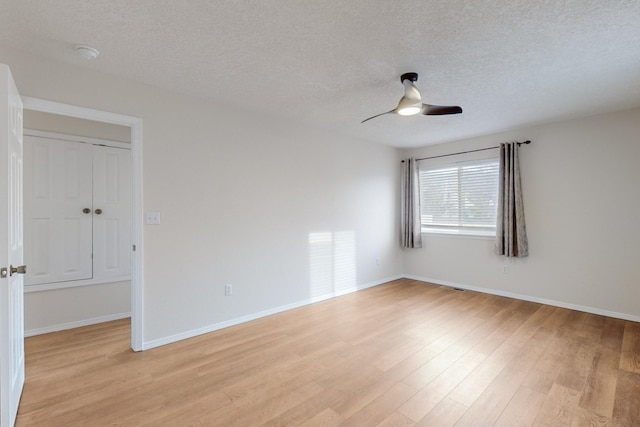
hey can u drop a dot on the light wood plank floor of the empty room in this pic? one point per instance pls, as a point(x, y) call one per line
point(402, 354)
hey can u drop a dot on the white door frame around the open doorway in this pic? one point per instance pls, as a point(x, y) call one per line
point(137, 265)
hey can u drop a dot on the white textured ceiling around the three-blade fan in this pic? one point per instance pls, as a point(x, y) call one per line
point(508, 63)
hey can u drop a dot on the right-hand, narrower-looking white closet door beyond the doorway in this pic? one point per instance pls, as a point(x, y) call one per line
point(113, 197)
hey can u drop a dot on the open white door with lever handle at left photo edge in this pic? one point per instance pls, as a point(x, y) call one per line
point(11, 279)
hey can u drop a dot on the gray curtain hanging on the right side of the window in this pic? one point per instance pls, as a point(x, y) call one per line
point(511, 233)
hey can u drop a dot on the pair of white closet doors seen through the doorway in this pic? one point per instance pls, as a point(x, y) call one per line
point(78, 211)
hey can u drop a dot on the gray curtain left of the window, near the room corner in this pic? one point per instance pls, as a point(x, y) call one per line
point(410, 226)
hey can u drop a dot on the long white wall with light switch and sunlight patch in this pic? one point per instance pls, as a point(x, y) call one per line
point(245, 199)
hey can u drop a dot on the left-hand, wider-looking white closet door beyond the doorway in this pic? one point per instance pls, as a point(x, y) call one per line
point(58, 210)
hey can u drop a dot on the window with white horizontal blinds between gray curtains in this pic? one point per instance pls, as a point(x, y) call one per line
point(459, 198)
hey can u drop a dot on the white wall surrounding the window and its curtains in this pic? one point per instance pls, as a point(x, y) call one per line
point(582, 204)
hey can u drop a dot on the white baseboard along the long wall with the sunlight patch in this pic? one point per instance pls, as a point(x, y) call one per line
point(228, 323)
